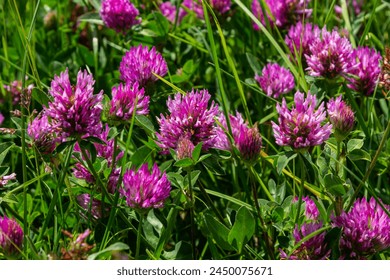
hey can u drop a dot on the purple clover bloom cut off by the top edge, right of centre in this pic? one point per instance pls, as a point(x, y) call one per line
point(284, 12)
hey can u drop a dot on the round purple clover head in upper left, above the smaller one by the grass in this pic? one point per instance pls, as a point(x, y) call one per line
point(139, 64)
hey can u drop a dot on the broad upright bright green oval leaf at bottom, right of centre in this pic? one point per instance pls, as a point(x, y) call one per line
point(243, 228)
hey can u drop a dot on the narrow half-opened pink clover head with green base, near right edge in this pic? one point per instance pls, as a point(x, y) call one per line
point(341, 117)
